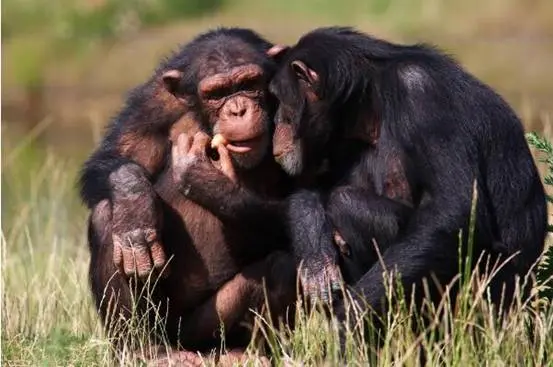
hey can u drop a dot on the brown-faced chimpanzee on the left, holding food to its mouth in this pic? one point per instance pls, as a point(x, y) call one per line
point(143, 197)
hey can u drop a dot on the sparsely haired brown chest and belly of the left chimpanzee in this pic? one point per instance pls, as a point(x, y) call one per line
point(204, 253)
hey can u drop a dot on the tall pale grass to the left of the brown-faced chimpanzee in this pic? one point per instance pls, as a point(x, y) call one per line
point(46, 313)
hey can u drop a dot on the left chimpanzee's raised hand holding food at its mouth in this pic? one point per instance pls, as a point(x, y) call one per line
point(189, 157)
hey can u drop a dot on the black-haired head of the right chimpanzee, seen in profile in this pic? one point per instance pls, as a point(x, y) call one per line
point(319, 86)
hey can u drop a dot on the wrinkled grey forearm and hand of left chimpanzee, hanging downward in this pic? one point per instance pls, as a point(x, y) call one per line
point(136, 247)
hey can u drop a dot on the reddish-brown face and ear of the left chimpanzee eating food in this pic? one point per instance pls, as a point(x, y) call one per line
point(229, 95)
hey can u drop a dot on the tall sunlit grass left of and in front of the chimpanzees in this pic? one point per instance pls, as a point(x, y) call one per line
point(48, 318)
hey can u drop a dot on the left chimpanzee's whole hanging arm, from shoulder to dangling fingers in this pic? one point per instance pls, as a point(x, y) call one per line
point(120, 170)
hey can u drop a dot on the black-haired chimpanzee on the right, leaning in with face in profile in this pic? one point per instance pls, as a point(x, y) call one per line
point(422, 126)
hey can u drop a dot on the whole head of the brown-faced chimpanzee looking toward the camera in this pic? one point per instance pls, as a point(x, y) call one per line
point(222, 76)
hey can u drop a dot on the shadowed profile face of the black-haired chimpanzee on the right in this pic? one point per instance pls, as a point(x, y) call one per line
point(302, 127)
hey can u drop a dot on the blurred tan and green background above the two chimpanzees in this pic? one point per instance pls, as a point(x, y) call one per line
point(67, 63)
